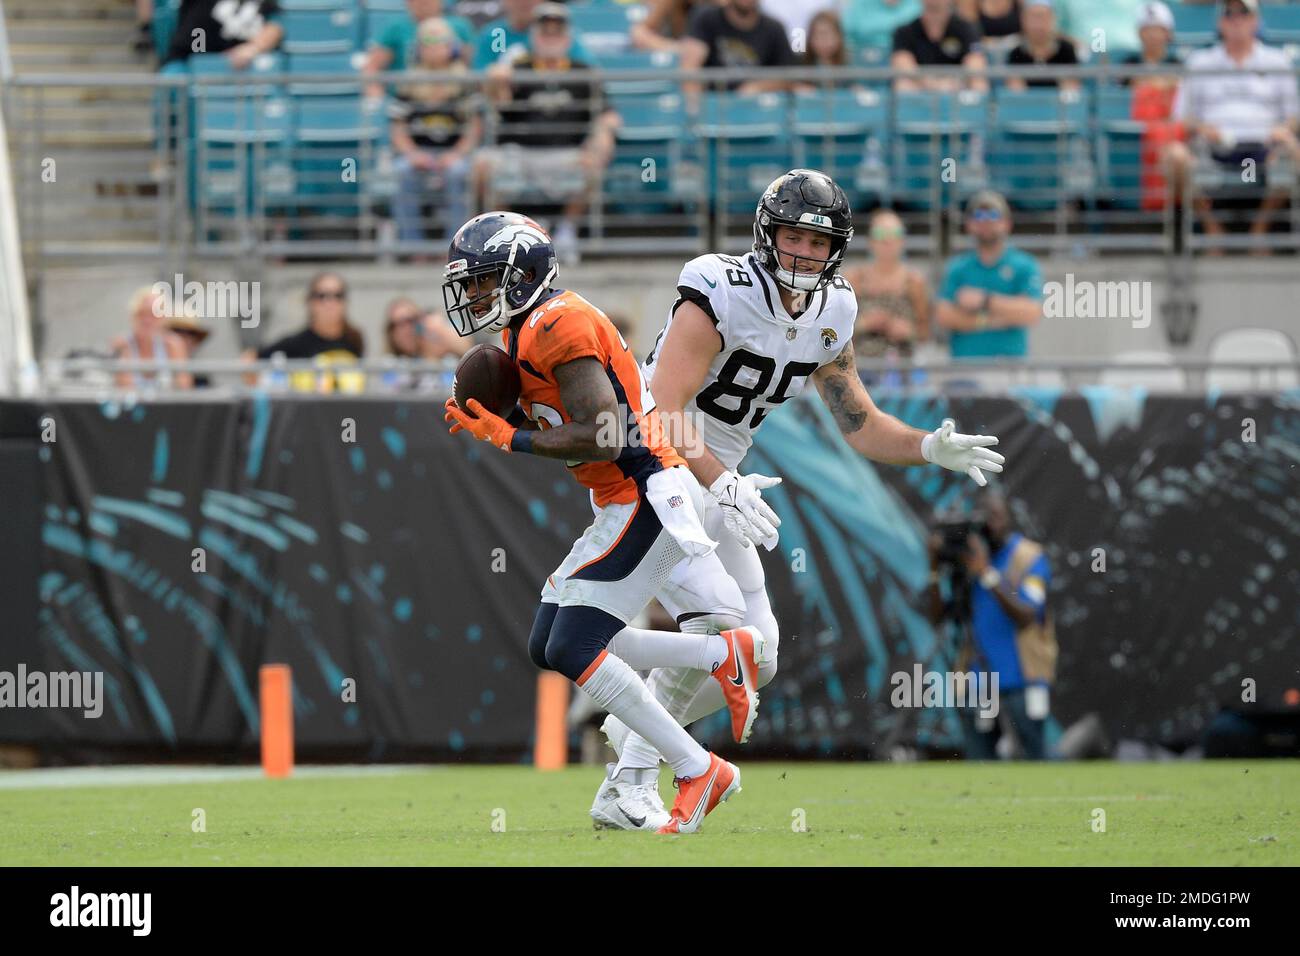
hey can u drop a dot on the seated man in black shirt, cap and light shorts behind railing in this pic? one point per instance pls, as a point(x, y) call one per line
point(556, 137)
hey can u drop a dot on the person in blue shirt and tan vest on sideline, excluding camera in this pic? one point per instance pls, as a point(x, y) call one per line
point(1012, 630)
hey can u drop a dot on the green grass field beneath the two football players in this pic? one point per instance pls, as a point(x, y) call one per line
point(1168, 815)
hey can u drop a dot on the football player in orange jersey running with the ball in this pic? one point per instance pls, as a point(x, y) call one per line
point(584, 397)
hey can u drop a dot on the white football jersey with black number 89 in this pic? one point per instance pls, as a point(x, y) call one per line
point(766, 356)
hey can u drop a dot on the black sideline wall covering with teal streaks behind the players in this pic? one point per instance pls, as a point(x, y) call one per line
point(379, 561)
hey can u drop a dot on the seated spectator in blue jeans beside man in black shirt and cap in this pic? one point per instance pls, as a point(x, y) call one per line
point(435, 129)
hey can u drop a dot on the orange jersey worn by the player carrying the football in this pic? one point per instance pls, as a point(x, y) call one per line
point(565, 328)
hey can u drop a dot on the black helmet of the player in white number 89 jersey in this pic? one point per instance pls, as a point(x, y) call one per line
point(804, 200)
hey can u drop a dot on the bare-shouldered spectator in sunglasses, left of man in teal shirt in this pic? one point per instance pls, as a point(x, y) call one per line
point(894, 299)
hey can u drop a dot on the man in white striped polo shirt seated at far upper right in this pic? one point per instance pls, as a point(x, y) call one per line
point(1246, 120)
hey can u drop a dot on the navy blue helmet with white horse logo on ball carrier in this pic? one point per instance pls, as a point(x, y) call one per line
point(519, 257)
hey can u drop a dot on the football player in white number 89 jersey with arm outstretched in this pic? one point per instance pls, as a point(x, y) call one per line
point(747, 335)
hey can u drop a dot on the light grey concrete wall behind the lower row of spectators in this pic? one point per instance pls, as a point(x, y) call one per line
point(86, 306)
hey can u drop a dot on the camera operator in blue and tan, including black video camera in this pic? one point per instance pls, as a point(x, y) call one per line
point(998, 587)
